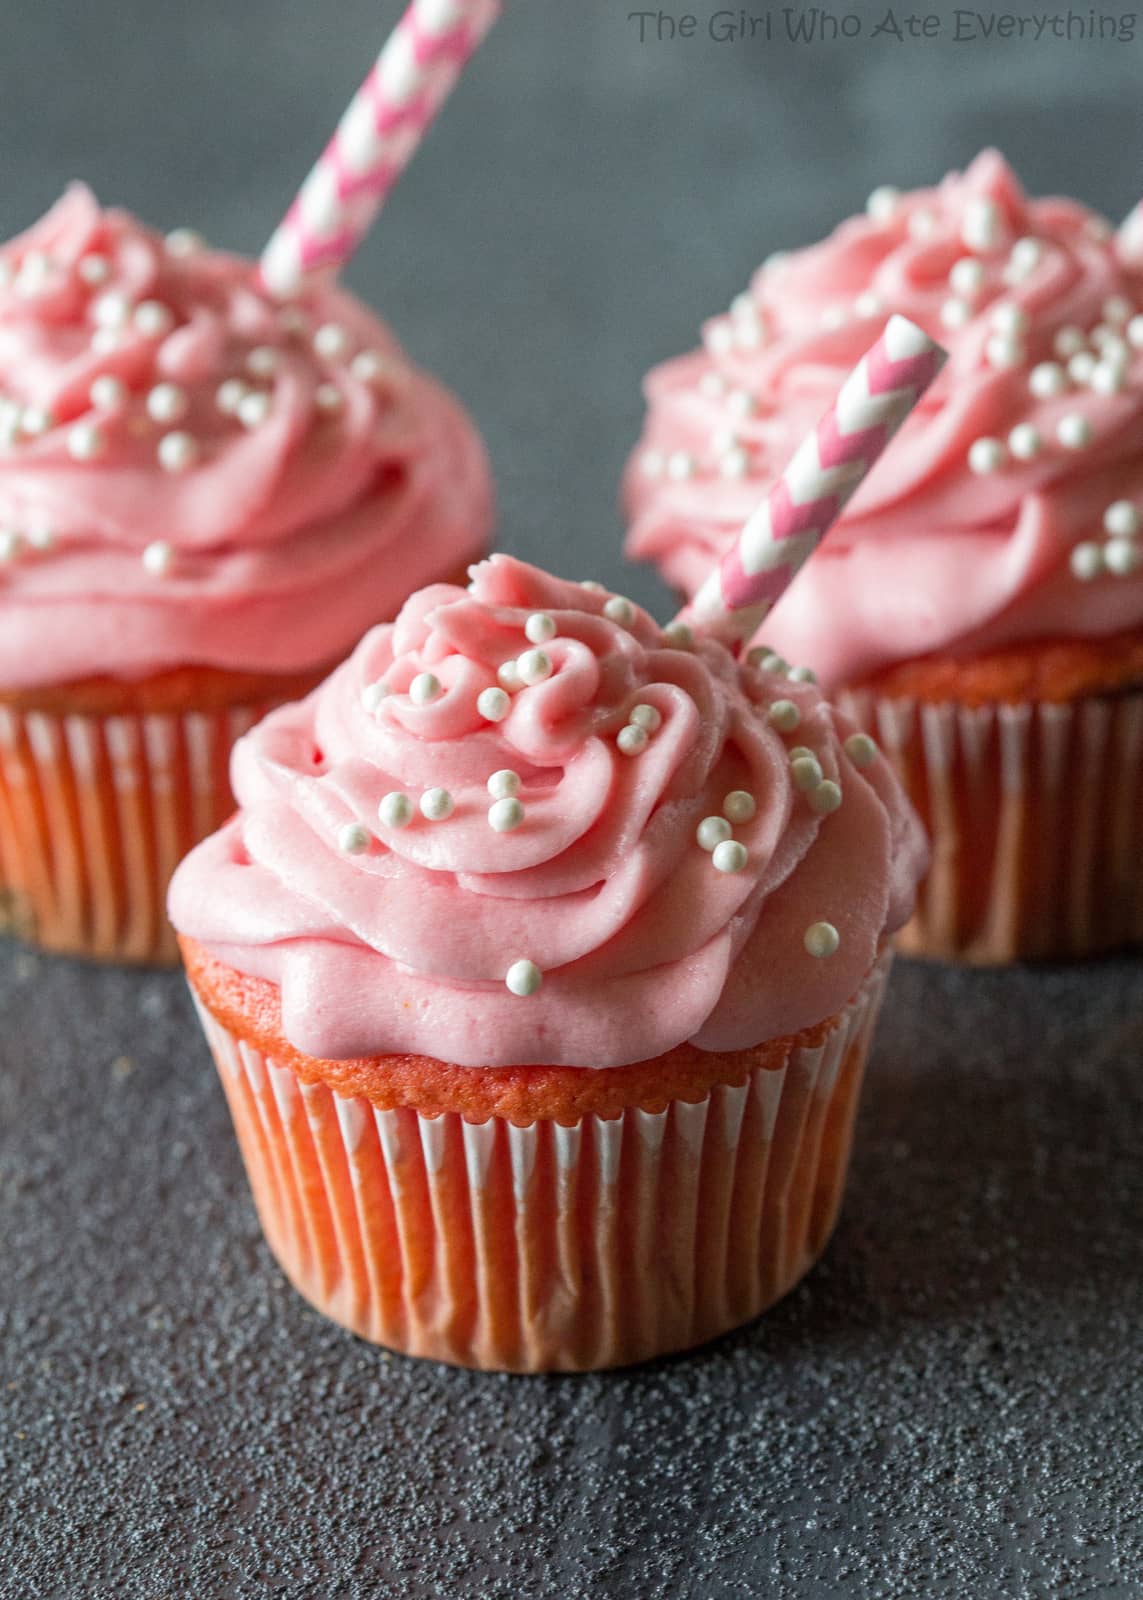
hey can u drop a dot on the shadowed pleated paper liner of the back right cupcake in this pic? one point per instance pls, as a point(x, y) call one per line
point(1035, 815)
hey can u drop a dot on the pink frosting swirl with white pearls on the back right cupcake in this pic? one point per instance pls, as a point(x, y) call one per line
point(1009, 506)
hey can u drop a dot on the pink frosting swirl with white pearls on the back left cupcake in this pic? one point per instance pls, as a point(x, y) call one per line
point(195, 474)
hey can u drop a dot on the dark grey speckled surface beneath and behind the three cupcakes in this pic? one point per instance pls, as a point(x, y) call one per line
point(952, 1406)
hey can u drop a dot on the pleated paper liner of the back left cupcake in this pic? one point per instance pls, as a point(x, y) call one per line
point(97, 814)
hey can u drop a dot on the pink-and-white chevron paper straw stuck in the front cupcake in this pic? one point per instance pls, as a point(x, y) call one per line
point(809, 497)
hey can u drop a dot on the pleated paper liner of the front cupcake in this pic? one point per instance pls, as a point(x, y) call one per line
point(550, 1247)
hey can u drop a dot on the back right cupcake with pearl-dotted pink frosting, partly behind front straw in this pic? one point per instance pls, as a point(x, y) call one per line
point(979, 609)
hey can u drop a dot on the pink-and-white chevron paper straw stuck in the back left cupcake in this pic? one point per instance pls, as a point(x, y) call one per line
point(375, 142)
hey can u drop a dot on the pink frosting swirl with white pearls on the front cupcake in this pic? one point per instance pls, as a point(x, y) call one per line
point(526, 825)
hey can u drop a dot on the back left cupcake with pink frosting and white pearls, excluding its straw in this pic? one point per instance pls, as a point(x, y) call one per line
point(204, 502)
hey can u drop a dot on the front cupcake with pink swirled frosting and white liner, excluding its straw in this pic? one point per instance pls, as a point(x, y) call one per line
point(540, 966)
